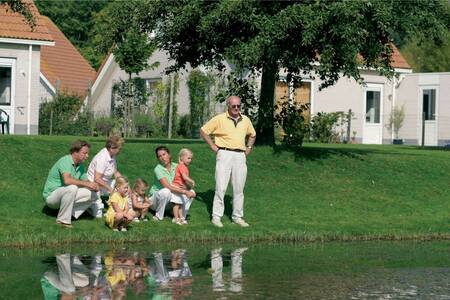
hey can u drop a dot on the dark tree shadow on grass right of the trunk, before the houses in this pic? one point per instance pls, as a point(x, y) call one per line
point(313, 153)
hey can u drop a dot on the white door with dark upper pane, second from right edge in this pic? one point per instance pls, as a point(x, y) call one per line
point(372, 128)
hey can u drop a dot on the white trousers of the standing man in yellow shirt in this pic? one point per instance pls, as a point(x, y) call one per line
point(230, 164)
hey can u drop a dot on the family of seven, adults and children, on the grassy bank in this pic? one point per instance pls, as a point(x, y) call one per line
point(72, 190)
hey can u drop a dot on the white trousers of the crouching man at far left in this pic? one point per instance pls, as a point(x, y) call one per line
point(71, 201)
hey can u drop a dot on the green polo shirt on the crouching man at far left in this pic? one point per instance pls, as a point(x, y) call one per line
point(55, 179)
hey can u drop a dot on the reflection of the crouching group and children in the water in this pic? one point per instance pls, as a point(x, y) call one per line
point(111, 276)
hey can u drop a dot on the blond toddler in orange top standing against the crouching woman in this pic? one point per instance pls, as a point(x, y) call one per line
point(182, 180)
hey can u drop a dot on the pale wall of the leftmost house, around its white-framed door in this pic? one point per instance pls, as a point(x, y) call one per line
point(20, 54)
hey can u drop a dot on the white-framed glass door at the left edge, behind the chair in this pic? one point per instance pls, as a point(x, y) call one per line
point(7, 71)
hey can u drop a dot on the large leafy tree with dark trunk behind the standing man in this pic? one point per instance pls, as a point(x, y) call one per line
point(328, 39)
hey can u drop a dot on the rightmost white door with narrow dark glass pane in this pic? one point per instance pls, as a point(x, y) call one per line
point(428, 101)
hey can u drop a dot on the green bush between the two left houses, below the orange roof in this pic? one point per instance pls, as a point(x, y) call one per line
point(62, 116)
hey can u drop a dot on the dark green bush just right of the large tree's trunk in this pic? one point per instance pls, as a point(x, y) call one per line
point(291, 119)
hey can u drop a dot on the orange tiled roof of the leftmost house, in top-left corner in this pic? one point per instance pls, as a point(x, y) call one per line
point(14, 26)
